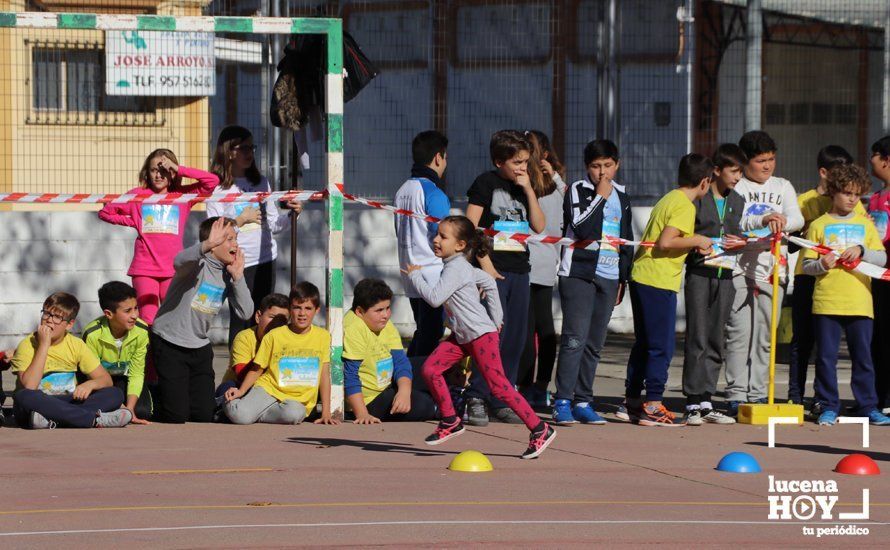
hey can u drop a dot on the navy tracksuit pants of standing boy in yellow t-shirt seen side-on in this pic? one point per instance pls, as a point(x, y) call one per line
point(655, 317)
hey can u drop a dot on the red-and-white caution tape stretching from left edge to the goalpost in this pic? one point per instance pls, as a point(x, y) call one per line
point(156, 198)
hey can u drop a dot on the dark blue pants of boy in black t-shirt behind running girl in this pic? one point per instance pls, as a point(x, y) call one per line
point(514, 292)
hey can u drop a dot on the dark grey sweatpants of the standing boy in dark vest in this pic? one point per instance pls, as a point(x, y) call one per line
point(708, 305)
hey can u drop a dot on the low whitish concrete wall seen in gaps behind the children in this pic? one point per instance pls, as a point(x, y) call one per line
point(44, 252)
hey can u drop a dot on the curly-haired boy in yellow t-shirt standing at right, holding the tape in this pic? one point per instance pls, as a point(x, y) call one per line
point(842, 298)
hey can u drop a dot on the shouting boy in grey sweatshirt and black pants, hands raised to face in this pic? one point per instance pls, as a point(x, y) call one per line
point(206, 273)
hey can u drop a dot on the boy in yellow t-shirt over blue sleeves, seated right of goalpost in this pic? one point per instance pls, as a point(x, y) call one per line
point(377, 374)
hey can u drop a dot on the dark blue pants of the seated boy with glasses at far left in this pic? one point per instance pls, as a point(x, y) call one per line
point(63, 409)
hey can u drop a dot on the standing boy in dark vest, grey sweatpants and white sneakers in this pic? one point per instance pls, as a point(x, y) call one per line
point(709, 291)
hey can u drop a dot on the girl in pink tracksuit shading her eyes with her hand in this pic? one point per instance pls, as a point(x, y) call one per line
point(159, 227)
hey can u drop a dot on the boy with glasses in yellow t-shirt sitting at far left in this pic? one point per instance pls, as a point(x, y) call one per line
point(47, 363)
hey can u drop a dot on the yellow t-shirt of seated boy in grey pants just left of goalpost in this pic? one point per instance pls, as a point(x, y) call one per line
point(292, 363)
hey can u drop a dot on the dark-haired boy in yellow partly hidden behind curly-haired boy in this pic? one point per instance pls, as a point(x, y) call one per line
point(813, 204)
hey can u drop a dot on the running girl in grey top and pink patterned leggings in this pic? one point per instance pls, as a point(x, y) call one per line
point(474, 331)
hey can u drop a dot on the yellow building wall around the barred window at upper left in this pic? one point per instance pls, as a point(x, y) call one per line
point(79, 156)
